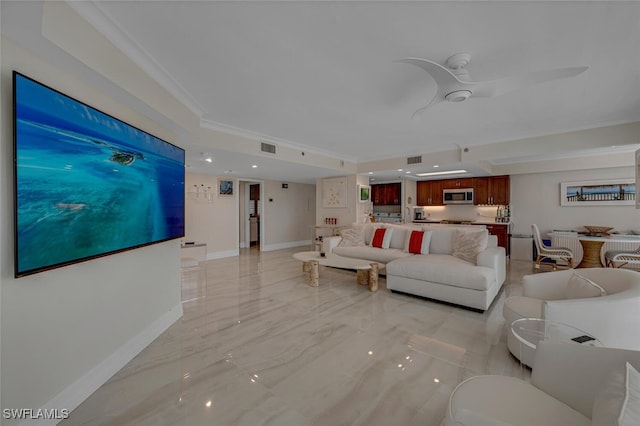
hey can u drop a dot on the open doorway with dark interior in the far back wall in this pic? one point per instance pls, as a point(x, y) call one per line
point(251, 215)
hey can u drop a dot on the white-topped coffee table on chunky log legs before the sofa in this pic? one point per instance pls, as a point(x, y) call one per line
point(367, 271)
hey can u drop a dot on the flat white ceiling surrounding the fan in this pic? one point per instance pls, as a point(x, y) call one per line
point(320, 75)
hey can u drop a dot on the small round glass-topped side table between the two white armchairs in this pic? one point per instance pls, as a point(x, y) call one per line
point(530, 331)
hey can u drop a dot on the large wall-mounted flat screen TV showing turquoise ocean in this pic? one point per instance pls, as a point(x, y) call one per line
point(87, 184)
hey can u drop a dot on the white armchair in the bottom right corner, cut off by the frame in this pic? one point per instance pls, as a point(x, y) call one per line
point(571, 385)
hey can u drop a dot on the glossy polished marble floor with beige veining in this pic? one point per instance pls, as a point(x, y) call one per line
point(258, 346)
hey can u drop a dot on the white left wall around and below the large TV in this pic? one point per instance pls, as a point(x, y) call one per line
point(66, 331)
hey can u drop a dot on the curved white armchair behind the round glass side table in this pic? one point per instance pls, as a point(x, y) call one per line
point(613, 318)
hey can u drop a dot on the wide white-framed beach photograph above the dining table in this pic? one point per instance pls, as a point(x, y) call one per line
point(614, 192)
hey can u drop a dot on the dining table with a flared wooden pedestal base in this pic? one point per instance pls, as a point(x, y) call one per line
point(592, 245)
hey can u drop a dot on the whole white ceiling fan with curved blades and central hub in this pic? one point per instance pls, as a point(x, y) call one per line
point(454, 85)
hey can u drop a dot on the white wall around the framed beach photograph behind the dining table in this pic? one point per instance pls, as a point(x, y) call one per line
point(535, 198)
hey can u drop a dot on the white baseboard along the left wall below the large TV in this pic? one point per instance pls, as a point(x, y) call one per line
point(81, 389)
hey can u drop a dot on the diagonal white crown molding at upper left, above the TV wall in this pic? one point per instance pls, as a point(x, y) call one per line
point(99, 19)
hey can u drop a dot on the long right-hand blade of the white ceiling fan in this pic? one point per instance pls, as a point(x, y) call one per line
point(499, 87)
